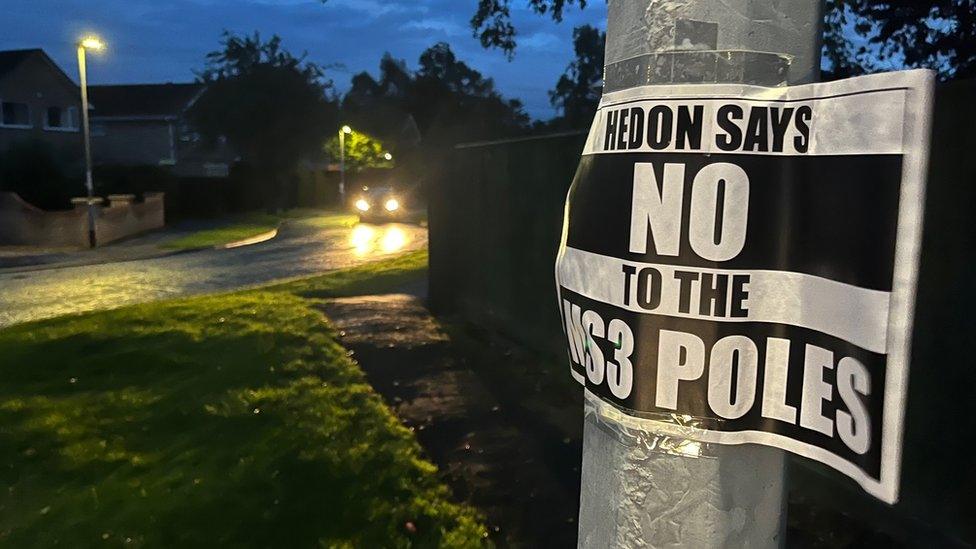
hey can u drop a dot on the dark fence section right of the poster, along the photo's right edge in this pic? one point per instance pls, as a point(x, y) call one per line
point(939, 479)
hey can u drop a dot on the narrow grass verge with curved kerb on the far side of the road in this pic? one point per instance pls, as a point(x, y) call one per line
point(253, 224)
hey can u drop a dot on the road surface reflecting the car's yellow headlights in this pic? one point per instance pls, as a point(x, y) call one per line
point(299, 250)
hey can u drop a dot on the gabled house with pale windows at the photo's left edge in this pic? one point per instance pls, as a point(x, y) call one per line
point(38, 101)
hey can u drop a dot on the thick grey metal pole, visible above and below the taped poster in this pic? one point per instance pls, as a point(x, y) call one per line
point(633, 493)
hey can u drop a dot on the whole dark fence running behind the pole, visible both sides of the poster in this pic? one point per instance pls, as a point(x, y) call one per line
point(495, 221)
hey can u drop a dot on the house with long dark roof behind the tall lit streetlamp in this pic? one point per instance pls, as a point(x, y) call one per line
point(146, 125)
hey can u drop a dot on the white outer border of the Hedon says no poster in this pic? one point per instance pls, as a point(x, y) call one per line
point(918, 88)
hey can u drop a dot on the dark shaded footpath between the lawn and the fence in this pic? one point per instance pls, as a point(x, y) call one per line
point(481, 410)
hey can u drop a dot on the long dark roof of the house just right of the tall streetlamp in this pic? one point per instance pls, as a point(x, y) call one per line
point(143, 100)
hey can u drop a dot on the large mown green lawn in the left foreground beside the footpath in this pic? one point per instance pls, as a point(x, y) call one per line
point(226, 420)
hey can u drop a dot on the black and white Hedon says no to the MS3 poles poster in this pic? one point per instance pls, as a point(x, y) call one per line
point(748, 257)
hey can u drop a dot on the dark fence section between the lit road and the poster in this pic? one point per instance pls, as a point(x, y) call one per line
point(495, 215)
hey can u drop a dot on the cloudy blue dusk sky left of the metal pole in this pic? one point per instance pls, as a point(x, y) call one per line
point(154, 41)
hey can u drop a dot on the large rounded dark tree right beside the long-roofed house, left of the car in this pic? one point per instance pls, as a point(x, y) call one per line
point(274, 108)
